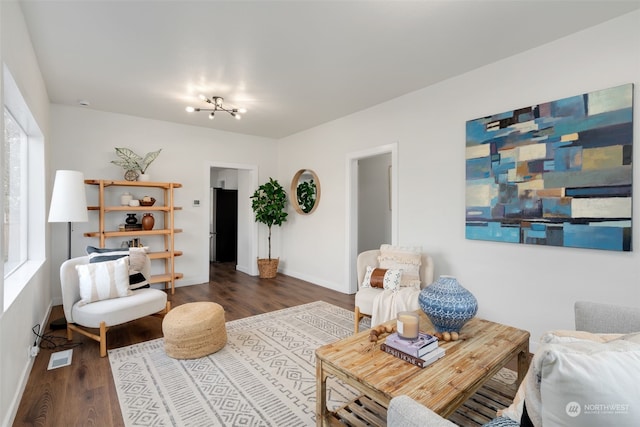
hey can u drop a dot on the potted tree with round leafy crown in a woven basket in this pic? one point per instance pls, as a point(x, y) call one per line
point(268, 204)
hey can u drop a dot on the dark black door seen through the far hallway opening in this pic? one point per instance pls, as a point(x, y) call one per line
point(226, 224)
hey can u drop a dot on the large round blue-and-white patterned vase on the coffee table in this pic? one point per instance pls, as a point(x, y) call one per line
point(447, 304)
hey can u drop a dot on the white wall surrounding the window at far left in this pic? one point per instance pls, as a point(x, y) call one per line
point(32, 305)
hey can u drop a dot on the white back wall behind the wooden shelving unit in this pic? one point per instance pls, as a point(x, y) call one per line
point(85, 139)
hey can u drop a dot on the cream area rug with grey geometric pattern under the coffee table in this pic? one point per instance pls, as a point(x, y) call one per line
point(264, 376)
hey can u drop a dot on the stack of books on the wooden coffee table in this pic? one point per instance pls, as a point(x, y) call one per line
point(421, 352)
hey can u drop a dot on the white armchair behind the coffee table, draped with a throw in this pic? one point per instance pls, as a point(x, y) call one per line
point(366, 297)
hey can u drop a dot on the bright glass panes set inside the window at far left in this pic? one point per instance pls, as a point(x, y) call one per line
point(14, 192)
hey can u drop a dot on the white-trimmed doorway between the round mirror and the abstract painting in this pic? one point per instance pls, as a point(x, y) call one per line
point(354, 189)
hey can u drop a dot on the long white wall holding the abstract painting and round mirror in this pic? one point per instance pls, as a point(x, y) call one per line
point(527, 286)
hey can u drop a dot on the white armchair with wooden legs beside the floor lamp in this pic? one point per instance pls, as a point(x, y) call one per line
point(104, 313)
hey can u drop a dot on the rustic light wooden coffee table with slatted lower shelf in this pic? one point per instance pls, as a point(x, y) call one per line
point(484, 349)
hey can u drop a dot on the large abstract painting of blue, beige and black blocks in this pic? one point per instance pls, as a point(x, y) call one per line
point(555, 174)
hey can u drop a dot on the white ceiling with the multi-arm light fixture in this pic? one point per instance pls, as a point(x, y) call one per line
point(292, 64)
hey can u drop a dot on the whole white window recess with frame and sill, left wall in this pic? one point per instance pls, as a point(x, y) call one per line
point(22, 206)
